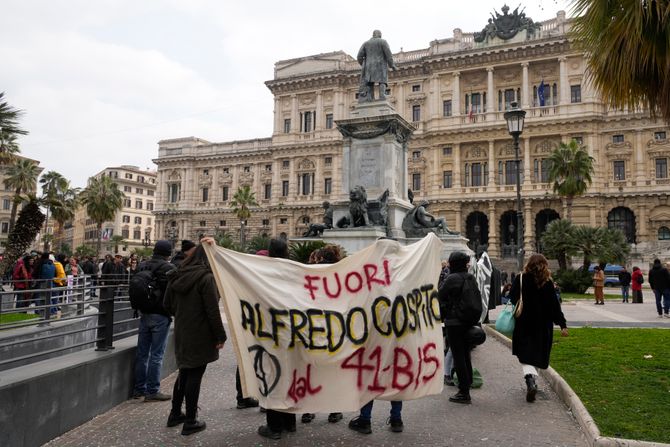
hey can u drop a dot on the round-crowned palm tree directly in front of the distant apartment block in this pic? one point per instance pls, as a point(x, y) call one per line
point(103, 199)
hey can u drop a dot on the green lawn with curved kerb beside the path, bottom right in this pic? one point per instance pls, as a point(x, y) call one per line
point(627, 395)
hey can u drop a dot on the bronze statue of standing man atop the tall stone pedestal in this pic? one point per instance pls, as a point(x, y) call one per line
point(375, 58)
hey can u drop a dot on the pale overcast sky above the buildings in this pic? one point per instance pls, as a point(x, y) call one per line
point(102, 81)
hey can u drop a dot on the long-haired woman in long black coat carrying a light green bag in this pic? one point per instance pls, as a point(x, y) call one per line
point(534, 330)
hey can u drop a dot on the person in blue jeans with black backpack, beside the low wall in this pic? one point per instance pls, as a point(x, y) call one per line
point(146, 291)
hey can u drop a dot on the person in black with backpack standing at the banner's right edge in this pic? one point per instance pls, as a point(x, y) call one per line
point(461, 308)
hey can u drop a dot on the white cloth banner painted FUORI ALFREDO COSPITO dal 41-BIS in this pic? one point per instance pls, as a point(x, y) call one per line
point(332, 337)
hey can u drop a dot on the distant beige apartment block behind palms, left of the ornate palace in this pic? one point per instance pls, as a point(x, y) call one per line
point(134, 222)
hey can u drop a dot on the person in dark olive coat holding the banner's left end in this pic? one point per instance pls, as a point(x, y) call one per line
point(192, 298)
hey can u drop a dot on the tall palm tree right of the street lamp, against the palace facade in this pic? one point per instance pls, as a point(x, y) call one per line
point(570, 171)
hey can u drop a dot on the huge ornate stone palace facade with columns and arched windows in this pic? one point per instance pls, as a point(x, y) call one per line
point(460, 158)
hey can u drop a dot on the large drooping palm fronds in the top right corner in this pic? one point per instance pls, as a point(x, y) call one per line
point(634, 31)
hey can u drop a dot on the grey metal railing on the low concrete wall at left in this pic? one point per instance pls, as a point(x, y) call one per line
point(40, 319)
